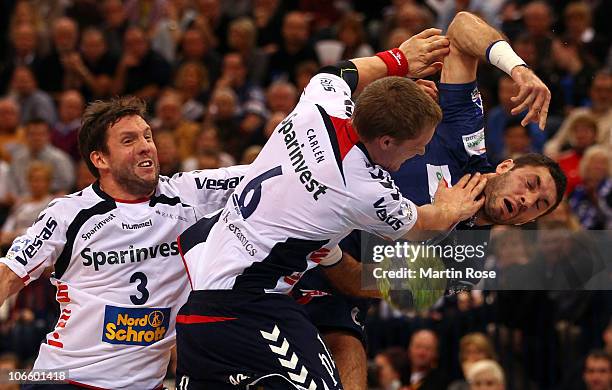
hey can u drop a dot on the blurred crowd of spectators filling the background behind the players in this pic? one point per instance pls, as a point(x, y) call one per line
point(218, 76)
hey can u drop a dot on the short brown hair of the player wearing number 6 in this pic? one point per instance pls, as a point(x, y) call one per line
point(394, 106)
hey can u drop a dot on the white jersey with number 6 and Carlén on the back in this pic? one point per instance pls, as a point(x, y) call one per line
point(310, 186)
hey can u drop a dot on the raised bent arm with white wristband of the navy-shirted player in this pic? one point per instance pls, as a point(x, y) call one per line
point(471, 39)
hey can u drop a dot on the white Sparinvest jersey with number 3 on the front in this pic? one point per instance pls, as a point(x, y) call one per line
point(119, 276)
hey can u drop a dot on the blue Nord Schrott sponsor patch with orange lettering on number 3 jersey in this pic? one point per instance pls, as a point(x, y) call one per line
point(135, 326)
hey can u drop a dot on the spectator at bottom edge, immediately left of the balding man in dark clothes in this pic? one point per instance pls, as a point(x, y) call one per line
point(392, 369)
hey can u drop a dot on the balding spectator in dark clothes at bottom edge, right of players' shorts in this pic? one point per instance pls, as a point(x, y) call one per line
point(423, 359)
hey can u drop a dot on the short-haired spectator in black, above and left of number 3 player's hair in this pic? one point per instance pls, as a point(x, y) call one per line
point(54, 73)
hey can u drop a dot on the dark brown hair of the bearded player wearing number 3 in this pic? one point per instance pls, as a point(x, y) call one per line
point(98, 117)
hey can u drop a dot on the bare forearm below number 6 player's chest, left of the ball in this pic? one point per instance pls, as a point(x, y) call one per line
point(346, 278)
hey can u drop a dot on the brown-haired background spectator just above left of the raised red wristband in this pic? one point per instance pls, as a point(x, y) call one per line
point(350, 42)
